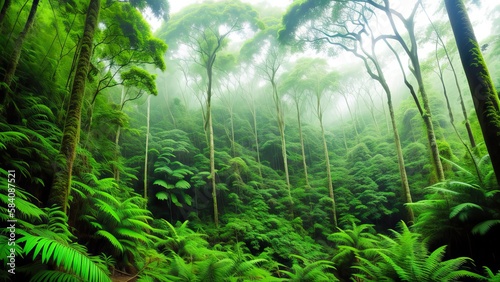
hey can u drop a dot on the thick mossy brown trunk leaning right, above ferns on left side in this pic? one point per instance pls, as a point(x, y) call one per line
point(61, 187)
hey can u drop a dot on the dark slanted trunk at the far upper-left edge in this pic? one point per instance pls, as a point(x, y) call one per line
point(11, 67)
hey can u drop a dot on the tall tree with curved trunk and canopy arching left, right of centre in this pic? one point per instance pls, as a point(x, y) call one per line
point(348, 33)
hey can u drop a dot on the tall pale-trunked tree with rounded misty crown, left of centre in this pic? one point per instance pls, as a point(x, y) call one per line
point(205, 30)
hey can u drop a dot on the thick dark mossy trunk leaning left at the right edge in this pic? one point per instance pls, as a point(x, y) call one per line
point(481, 87)
